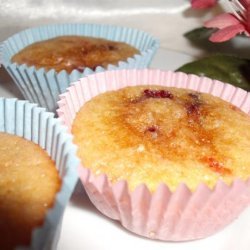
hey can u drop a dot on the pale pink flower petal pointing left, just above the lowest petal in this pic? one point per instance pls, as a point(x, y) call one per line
point(222, 21)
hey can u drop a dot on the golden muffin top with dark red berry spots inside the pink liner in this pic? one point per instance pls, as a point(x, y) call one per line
point(154, 134)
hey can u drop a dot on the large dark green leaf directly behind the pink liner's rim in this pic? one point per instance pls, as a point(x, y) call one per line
point(226, 68)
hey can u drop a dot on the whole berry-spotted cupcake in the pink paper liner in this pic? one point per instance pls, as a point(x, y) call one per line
point(169, 161)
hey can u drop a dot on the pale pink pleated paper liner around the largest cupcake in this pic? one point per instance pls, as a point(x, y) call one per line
point(170, 216)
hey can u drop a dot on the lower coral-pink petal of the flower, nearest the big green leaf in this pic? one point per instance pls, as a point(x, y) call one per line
point(227, 33)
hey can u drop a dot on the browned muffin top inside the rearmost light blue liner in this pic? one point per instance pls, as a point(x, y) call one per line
point(74, 52)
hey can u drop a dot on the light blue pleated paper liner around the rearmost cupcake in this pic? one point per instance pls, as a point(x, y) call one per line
point(44, 87)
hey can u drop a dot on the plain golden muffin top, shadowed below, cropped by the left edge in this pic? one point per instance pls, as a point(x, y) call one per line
point(29, 182)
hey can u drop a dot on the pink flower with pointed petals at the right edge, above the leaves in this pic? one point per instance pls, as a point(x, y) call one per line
point(230, 25)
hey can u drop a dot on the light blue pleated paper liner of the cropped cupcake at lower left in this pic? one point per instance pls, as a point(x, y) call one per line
point(24, 119)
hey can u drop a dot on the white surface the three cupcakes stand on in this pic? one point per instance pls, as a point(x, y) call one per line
point(85, 228)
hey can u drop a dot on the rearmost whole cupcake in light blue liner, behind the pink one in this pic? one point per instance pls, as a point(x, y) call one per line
point(94, 48)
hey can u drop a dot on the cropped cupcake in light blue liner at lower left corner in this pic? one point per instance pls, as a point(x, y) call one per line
point(38, 174)
